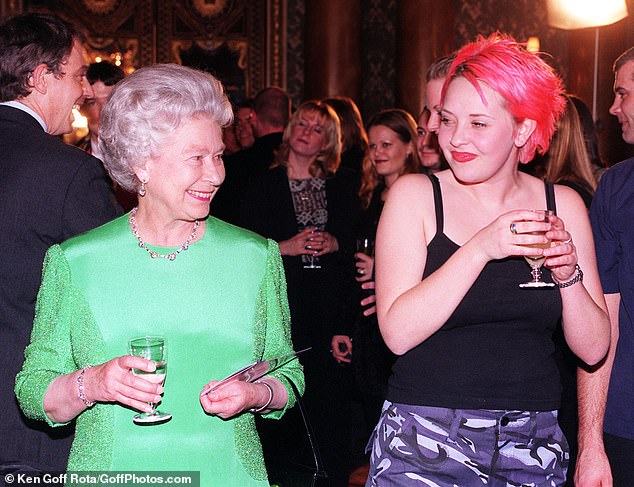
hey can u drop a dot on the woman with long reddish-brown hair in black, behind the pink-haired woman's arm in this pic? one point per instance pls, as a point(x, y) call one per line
point(391, 153)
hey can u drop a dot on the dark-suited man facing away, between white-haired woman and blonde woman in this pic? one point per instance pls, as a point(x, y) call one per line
point(271, 111)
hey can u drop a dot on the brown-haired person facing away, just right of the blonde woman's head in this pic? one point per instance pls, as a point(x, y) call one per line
point(354, 140)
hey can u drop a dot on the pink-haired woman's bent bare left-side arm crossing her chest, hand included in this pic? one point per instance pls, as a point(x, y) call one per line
point(406, 306)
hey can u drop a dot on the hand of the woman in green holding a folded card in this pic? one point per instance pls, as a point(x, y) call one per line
point(233, 398)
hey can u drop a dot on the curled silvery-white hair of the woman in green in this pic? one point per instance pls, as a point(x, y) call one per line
point(146, 107)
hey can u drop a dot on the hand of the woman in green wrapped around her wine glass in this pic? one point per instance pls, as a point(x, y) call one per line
point(114, 381)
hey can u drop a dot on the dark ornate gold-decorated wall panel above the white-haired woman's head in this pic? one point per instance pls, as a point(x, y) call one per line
point(240, 41)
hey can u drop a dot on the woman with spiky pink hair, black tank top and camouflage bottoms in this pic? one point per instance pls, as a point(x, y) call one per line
point(474, 393)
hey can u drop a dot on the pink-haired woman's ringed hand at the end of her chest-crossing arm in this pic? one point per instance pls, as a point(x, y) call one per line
point(497, 240)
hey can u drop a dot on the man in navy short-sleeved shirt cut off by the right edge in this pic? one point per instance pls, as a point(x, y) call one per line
point(606, 415)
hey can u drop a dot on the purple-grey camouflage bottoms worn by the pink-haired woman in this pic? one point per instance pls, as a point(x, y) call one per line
point(429, 446)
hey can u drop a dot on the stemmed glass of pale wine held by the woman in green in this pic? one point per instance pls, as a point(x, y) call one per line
point(151, 348)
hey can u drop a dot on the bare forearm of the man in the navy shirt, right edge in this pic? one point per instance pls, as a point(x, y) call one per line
point(593, 468)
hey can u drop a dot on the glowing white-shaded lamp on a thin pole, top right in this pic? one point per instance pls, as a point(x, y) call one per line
point(580, 14)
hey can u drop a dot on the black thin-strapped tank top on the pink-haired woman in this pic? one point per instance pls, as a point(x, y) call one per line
point(496, 350)
